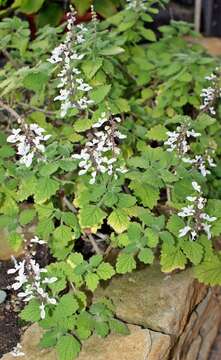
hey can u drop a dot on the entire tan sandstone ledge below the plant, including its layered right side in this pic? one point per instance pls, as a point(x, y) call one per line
point(170, 318)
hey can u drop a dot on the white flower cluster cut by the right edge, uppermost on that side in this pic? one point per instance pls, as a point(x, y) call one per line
point(211, 94)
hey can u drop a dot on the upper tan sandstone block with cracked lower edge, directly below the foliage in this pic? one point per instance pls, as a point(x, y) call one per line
point(155, 300)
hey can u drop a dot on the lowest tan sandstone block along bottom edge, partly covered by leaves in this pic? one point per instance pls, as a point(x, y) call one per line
point(141, 344)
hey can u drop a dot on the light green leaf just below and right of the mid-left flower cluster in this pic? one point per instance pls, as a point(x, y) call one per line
point(45, 189)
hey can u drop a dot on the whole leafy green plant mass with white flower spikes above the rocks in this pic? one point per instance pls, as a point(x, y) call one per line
point(109, 160)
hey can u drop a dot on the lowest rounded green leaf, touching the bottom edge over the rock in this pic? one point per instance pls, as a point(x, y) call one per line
point(68, 348)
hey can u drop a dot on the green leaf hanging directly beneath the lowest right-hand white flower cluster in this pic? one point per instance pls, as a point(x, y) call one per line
point(192, 250)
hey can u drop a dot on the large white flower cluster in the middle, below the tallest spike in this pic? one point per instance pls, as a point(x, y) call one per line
point(101, 151)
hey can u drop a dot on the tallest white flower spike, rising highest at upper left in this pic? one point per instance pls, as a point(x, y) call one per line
point(73, 88)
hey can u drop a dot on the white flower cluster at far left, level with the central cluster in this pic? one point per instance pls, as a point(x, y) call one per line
point(29, 142)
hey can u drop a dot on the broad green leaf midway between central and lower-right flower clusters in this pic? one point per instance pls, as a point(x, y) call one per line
point(146, 193)
